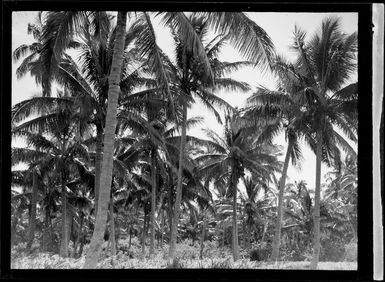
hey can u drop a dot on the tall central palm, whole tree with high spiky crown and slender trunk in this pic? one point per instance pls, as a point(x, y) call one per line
point(191, 80)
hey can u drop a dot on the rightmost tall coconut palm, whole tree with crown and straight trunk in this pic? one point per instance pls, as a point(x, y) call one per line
point(326, 63)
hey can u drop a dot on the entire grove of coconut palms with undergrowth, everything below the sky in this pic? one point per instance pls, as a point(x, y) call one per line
point(112, 179)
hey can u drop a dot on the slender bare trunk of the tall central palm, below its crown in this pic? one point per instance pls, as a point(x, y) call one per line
point(174, 227)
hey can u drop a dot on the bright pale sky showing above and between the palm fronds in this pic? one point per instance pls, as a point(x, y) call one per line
point(279, 26)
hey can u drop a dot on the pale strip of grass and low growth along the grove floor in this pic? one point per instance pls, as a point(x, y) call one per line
point(188, 257)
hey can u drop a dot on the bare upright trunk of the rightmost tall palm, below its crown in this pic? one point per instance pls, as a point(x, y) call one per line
point(317, 196)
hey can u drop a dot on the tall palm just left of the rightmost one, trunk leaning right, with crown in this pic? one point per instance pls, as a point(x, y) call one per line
point(283, 110)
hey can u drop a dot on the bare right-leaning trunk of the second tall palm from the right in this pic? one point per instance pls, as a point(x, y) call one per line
point(278, 224)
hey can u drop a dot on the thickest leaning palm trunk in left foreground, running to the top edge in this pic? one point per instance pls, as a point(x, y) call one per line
point(109, 141)
